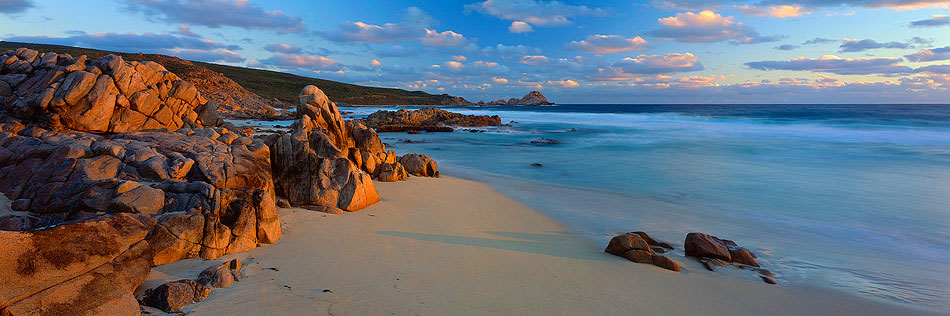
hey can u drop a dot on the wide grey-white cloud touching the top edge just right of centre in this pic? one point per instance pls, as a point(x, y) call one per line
point(537, 13)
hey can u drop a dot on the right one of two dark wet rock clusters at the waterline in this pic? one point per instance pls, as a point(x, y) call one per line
point(714, 253)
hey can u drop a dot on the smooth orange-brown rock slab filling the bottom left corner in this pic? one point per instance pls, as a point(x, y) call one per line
point(86, 268)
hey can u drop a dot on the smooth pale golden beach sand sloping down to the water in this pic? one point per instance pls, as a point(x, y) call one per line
point(447, 246)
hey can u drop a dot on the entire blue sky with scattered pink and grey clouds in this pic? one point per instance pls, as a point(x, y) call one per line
point(654, 51)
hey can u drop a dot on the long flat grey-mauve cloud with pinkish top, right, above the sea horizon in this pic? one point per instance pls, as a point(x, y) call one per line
point(837, 65)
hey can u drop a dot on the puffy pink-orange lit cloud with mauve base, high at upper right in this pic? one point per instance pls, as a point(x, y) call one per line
point(707, 27)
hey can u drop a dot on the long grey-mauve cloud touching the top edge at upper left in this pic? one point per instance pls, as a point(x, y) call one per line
point(218, 13)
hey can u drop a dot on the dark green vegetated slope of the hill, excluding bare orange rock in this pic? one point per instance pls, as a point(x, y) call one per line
point(267, 84)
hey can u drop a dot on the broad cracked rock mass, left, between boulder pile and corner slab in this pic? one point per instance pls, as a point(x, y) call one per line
point(210, 189)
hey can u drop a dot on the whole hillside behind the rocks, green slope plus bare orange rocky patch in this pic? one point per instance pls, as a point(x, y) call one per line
point(262, 86)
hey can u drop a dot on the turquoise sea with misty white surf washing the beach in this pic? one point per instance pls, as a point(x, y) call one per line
point(855, 197)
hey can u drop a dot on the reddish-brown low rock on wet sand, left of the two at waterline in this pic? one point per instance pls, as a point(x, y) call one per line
point(635, 248)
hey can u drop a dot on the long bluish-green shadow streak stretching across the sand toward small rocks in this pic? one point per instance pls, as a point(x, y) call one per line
point(557, 244)
